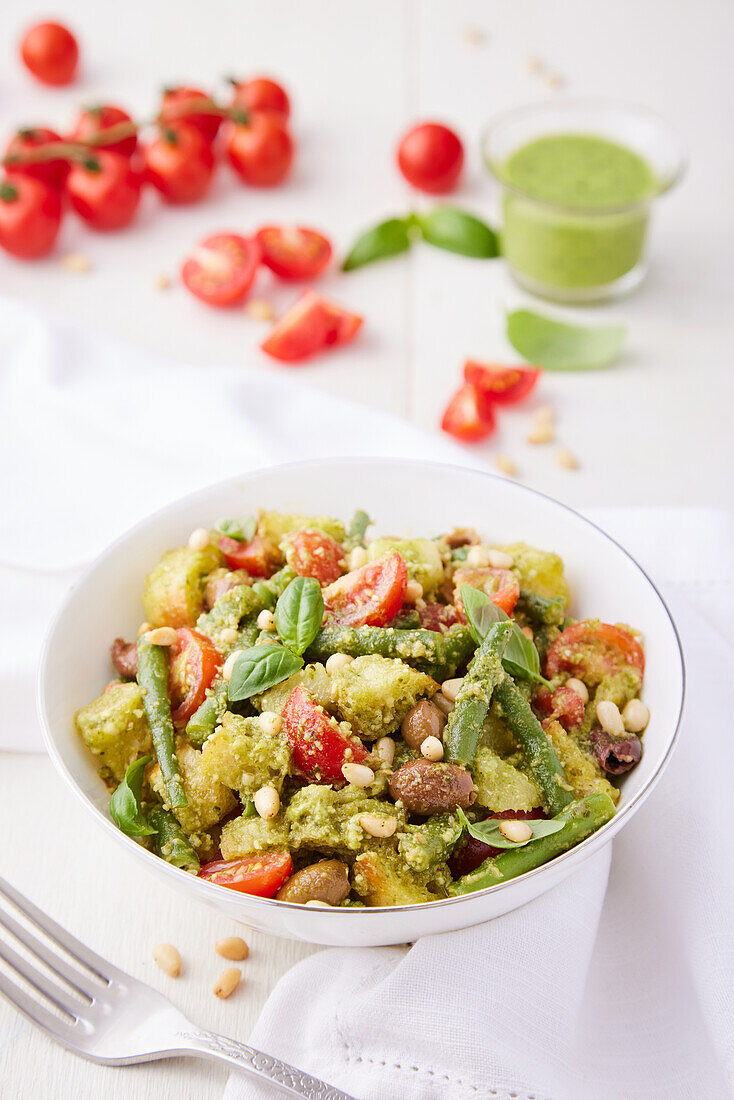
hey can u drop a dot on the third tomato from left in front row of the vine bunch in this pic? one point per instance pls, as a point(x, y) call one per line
point(180, 163)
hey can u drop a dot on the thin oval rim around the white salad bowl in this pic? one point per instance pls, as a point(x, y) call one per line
point(212, 892)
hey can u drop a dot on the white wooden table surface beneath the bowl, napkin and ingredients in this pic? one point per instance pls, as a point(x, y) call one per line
point(656, 431)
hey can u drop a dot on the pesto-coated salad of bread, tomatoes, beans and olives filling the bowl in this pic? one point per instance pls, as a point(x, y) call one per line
point(321, 719)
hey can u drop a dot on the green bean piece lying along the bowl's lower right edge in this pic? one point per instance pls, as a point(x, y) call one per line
point(585, 818)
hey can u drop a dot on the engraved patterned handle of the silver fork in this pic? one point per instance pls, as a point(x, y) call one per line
point(292, 1082)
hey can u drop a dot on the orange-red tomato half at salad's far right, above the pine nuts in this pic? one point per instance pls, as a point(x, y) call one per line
point(593, 651)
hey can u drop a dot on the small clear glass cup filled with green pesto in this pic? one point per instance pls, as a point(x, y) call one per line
point(578, 181)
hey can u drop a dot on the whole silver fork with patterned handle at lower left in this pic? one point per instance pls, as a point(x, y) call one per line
point(111, 1018)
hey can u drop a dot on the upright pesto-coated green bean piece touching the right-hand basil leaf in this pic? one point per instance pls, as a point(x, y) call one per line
point(466, 722)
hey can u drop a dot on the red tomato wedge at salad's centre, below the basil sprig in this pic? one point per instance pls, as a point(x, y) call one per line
point(319, 743)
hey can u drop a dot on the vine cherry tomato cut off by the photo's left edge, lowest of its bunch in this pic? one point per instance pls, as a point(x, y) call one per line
point(30, 217)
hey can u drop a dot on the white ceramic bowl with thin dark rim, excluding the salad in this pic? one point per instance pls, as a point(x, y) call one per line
point(403, 498)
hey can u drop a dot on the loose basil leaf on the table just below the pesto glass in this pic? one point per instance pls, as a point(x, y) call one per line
point(561, 347)
